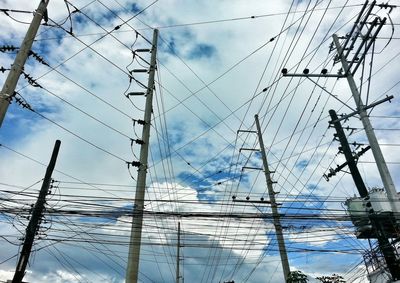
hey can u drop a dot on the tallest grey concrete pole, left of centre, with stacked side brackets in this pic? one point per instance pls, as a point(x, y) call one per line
point(137, 220)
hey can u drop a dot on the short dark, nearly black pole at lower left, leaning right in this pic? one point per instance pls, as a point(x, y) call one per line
point(37, 214)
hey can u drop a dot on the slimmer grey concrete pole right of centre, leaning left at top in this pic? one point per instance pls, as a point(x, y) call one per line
point(274, 206)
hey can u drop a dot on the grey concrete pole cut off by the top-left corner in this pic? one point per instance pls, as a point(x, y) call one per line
point(10, 84)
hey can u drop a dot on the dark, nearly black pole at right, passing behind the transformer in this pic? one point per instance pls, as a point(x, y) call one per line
point(377, 222)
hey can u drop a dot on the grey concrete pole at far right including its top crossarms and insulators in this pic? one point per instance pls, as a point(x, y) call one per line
point(350, 65)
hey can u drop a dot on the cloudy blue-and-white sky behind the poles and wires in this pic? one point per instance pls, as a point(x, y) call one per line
point(218, 65)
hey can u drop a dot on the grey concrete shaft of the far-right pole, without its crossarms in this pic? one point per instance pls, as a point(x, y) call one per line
point(376, 150)
